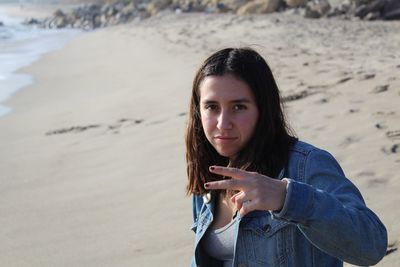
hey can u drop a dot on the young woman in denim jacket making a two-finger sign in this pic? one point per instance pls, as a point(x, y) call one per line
point(260, 196)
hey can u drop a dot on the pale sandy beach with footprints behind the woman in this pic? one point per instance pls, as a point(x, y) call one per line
point(92, 155)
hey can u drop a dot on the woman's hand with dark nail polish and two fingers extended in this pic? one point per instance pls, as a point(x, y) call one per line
point(257, 191)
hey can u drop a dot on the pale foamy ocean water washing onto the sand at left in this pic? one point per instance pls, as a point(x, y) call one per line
point(20, 46)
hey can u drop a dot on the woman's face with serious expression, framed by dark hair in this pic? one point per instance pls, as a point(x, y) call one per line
point(228, 112)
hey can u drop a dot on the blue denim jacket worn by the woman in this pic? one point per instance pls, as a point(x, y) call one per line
point(324, 220)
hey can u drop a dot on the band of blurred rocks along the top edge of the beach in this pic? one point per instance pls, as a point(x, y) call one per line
point(97, 15)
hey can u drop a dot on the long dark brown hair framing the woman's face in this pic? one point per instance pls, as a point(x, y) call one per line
point(267, 151)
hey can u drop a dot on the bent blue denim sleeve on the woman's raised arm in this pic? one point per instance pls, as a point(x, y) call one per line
point(331, 213)
